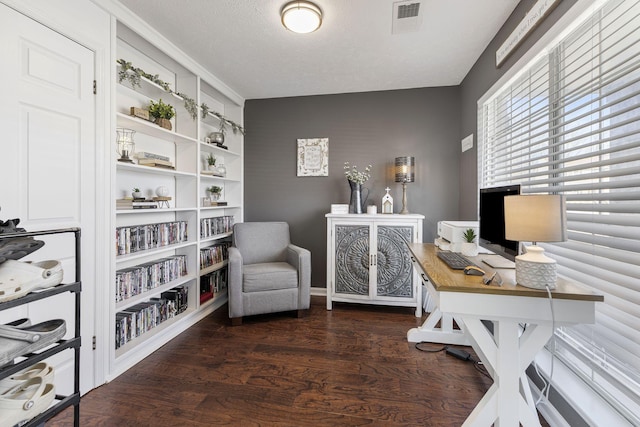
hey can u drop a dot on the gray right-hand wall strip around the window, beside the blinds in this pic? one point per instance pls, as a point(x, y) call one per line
point(481, 77)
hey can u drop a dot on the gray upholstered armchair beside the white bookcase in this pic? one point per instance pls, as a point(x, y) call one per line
point(267, 274)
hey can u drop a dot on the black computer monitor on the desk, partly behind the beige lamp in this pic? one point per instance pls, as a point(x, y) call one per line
point(491, 221)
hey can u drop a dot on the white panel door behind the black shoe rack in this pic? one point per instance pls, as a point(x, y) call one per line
point(47, 163)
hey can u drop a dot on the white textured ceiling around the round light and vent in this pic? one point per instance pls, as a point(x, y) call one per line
point(243, 43)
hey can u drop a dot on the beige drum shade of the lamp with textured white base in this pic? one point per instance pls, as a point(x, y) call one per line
point(535, 218)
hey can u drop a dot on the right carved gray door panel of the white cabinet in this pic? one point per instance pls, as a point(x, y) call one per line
point(395, 273)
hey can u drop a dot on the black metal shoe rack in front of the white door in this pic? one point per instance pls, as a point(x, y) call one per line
point(62, 402)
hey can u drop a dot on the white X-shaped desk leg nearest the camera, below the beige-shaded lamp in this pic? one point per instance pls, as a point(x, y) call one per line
point(506, 354)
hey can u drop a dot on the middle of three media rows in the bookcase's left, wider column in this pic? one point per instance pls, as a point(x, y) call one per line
point(135, 280)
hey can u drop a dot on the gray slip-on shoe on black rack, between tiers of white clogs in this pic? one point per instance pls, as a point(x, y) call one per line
point(16, 342)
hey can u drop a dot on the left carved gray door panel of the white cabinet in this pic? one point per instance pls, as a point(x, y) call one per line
point(352, 259)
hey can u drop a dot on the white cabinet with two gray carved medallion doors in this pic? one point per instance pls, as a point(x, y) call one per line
point(368, 260)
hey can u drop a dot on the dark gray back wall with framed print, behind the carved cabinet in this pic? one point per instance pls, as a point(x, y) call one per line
point(363, 128)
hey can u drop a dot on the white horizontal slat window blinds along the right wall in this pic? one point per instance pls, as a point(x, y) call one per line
point(569, 123)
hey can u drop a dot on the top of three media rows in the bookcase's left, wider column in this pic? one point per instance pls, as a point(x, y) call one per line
point(143, 237)
